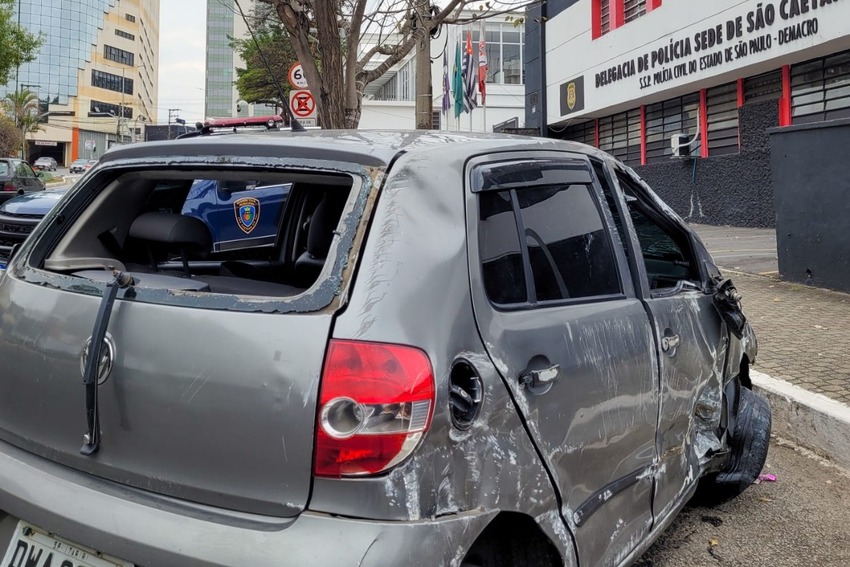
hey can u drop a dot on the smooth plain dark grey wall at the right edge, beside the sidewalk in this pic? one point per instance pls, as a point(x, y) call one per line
point(811, 185)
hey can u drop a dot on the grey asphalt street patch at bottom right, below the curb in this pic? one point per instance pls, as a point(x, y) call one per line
point(800, 520)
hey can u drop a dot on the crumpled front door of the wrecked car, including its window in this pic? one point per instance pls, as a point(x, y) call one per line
point(691, 340)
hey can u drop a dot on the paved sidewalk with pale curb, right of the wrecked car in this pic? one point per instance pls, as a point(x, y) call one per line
point(803, 364)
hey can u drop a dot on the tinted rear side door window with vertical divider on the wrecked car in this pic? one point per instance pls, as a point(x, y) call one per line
point(543, 239)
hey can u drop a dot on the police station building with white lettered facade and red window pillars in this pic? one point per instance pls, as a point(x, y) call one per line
point(685, 91)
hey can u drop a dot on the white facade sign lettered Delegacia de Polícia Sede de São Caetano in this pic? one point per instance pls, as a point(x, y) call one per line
point(721, 37)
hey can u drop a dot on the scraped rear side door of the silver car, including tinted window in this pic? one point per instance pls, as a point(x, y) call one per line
point(572, 342)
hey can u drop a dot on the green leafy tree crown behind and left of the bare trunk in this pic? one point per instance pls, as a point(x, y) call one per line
point(255, 82)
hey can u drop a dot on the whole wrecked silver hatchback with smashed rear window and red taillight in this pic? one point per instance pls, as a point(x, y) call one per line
point(462, 350)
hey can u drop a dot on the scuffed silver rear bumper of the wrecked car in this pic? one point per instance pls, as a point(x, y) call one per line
point(152, 530)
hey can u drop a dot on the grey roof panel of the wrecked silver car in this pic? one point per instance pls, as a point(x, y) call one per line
point(367, 147)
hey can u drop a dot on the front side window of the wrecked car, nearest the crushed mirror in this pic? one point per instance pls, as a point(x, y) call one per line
point(667, 253)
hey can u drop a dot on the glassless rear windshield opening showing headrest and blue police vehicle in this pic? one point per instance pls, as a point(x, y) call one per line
point(247, 233)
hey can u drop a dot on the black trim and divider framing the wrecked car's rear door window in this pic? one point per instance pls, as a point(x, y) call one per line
point(598, 198)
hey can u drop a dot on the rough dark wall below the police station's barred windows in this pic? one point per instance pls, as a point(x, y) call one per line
point(723, 190)
